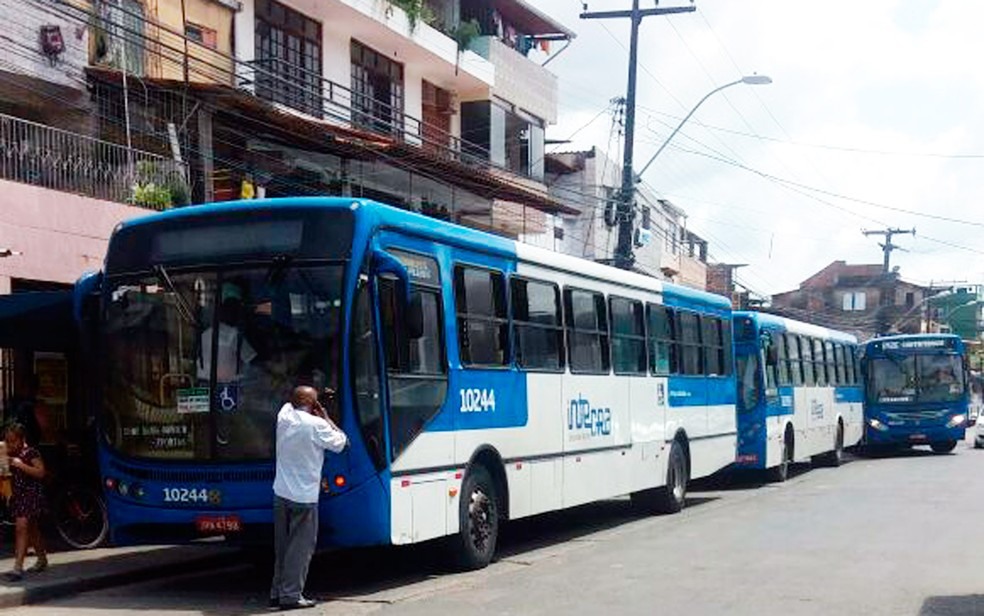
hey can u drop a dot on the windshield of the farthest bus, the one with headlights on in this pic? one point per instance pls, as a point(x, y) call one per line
point(916, 378)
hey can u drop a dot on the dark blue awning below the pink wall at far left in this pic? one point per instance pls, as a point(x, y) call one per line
point(39, 321)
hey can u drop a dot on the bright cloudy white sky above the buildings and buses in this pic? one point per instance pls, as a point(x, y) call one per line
point(874, 119)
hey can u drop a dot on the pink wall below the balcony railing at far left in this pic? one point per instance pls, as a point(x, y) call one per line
point(62, 235)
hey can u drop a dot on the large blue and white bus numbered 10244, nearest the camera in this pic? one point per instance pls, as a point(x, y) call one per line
point(480, 379)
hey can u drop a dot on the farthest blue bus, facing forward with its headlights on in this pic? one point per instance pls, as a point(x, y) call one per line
point(917, 391)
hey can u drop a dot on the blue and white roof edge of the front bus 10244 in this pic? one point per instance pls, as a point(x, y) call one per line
point(380, 215)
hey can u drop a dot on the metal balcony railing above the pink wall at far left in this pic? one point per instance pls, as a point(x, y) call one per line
point(40, 155)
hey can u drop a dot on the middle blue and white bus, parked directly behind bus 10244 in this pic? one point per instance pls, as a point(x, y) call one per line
point(799, 394)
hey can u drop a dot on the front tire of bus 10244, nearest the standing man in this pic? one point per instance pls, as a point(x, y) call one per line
point(478, 521)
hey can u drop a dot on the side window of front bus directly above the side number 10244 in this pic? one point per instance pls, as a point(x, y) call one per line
point(483, 323)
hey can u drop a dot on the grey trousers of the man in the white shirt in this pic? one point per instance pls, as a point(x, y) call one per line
point(295, 530)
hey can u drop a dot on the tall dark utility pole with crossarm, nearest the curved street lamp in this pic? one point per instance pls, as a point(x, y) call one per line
point(624, 257)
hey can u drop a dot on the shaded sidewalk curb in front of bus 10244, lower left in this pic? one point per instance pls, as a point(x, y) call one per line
point(60, 588)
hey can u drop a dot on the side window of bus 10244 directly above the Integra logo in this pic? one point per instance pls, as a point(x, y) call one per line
point(587, 332)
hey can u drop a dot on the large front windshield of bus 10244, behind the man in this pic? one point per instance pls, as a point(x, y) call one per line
point(167, 395)
